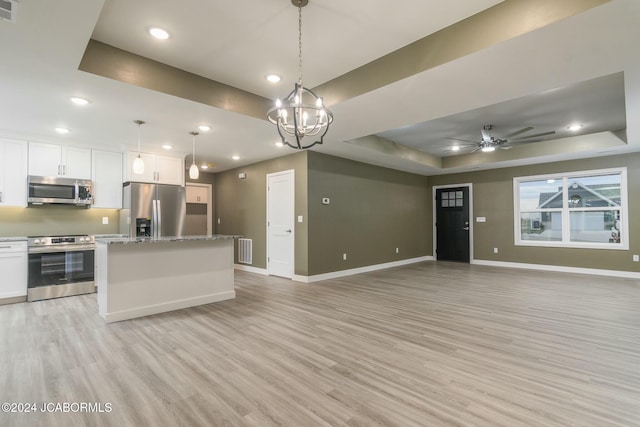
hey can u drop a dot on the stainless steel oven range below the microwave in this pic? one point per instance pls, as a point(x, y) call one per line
point(60, 266)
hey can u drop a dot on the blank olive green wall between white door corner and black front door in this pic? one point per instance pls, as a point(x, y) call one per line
point(372, 211)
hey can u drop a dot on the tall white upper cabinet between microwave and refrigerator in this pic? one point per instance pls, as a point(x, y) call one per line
point(106, 174)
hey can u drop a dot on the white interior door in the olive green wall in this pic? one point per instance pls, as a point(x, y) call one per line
point(280, 224)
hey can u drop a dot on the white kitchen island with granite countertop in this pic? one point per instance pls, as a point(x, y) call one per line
point(142, 276)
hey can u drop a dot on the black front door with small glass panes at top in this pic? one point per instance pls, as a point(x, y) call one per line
point(452, 224)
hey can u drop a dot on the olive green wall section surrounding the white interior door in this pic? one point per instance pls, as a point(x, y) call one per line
point(241, 205)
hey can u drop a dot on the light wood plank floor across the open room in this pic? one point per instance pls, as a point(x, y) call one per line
point(433, 344)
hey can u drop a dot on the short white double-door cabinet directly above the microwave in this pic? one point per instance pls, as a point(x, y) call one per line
point(59, 160)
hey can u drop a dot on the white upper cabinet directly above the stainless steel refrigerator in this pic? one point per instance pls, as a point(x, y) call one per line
point(157, 169)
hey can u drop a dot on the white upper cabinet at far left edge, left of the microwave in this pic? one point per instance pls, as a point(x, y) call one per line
point(13, 172)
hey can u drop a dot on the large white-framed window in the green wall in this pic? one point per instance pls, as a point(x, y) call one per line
point(579, 209)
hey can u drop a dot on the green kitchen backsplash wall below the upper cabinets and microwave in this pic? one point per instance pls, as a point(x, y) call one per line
point(55, 220)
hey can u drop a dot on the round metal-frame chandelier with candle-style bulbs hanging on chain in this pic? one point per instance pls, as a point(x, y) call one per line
point(301, 118)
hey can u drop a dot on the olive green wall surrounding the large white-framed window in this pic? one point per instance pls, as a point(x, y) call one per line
point(493, 199)
